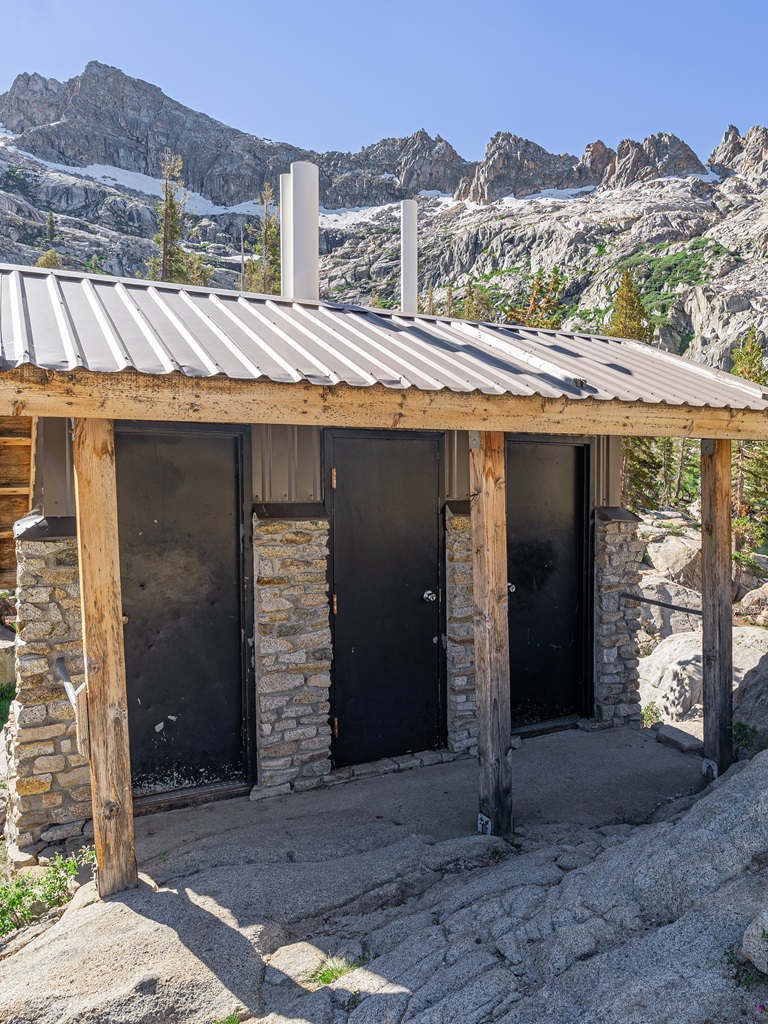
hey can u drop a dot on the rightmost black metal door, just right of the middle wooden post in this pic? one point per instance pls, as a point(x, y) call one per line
point(547, 550)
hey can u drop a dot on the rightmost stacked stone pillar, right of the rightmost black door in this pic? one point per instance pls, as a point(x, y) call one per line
point(619, 554)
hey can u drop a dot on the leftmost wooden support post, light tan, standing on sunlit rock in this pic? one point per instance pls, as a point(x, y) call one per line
point(96, 493)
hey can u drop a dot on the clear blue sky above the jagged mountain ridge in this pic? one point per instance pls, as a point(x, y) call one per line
point(338, 75)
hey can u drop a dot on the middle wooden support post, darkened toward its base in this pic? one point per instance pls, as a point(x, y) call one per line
point(488, 485)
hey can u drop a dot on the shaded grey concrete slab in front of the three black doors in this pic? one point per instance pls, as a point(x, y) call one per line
point(564, 784)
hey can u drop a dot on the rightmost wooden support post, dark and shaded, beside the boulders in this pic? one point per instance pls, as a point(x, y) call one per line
point(716, 605)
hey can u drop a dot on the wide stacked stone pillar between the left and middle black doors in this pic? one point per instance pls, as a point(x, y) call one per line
point(293, 658)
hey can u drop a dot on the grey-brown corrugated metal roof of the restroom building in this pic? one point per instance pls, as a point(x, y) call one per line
point(62, 321)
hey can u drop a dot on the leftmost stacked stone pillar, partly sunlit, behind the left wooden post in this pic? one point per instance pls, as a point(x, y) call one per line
point(50, 797)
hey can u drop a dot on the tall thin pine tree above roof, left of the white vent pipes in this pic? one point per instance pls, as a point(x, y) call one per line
point(175, 264)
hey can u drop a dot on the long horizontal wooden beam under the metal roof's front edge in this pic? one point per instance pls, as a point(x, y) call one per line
point(29, 392)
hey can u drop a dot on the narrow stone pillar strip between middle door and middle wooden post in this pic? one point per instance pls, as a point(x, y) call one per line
point(460, 645)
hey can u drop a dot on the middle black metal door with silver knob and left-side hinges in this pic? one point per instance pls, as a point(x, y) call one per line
point(386, 493)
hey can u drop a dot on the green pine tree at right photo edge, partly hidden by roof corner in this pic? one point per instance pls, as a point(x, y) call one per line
point(750, 458)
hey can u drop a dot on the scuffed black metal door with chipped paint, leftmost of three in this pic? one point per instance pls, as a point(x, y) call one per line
point(182, 551)
